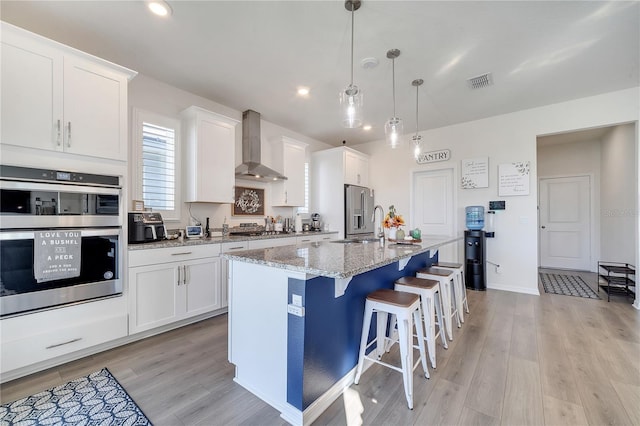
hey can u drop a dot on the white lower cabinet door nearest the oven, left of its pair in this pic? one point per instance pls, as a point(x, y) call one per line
point(153, 295)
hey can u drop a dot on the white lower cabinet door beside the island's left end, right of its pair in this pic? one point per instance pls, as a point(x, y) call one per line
point(201, 286)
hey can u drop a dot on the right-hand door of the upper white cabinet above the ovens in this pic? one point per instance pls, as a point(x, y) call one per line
point(95, 114)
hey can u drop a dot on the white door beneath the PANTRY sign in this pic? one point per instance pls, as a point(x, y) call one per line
point(432, 209)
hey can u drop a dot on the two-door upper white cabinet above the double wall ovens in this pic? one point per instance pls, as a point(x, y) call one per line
point(59, 99)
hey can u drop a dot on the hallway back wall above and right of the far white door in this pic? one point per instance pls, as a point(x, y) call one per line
point(577, 159)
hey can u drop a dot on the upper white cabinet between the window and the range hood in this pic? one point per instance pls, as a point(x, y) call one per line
point(209, 156)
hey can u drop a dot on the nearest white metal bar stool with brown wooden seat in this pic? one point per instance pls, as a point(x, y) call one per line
point(404, 306)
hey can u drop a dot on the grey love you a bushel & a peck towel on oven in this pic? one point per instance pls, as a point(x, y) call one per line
point(56, 254)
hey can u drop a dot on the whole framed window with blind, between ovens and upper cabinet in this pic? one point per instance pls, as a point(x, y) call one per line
point(156, 165)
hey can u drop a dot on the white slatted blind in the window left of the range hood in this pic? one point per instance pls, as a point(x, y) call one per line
point(158, 167)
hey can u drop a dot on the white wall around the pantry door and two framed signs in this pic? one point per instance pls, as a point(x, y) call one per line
point(504, 139)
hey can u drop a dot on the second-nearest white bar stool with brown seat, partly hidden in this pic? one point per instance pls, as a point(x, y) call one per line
point(429, 291)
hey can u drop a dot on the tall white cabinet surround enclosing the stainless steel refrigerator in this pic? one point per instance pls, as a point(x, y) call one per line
point(331, 169)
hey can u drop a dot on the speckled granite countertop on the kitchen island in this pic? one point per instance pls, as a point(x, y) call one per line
point(337, 260)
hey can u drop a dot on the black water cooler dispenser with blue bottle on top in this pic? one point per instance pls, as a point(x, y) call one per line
point(474, 249)
